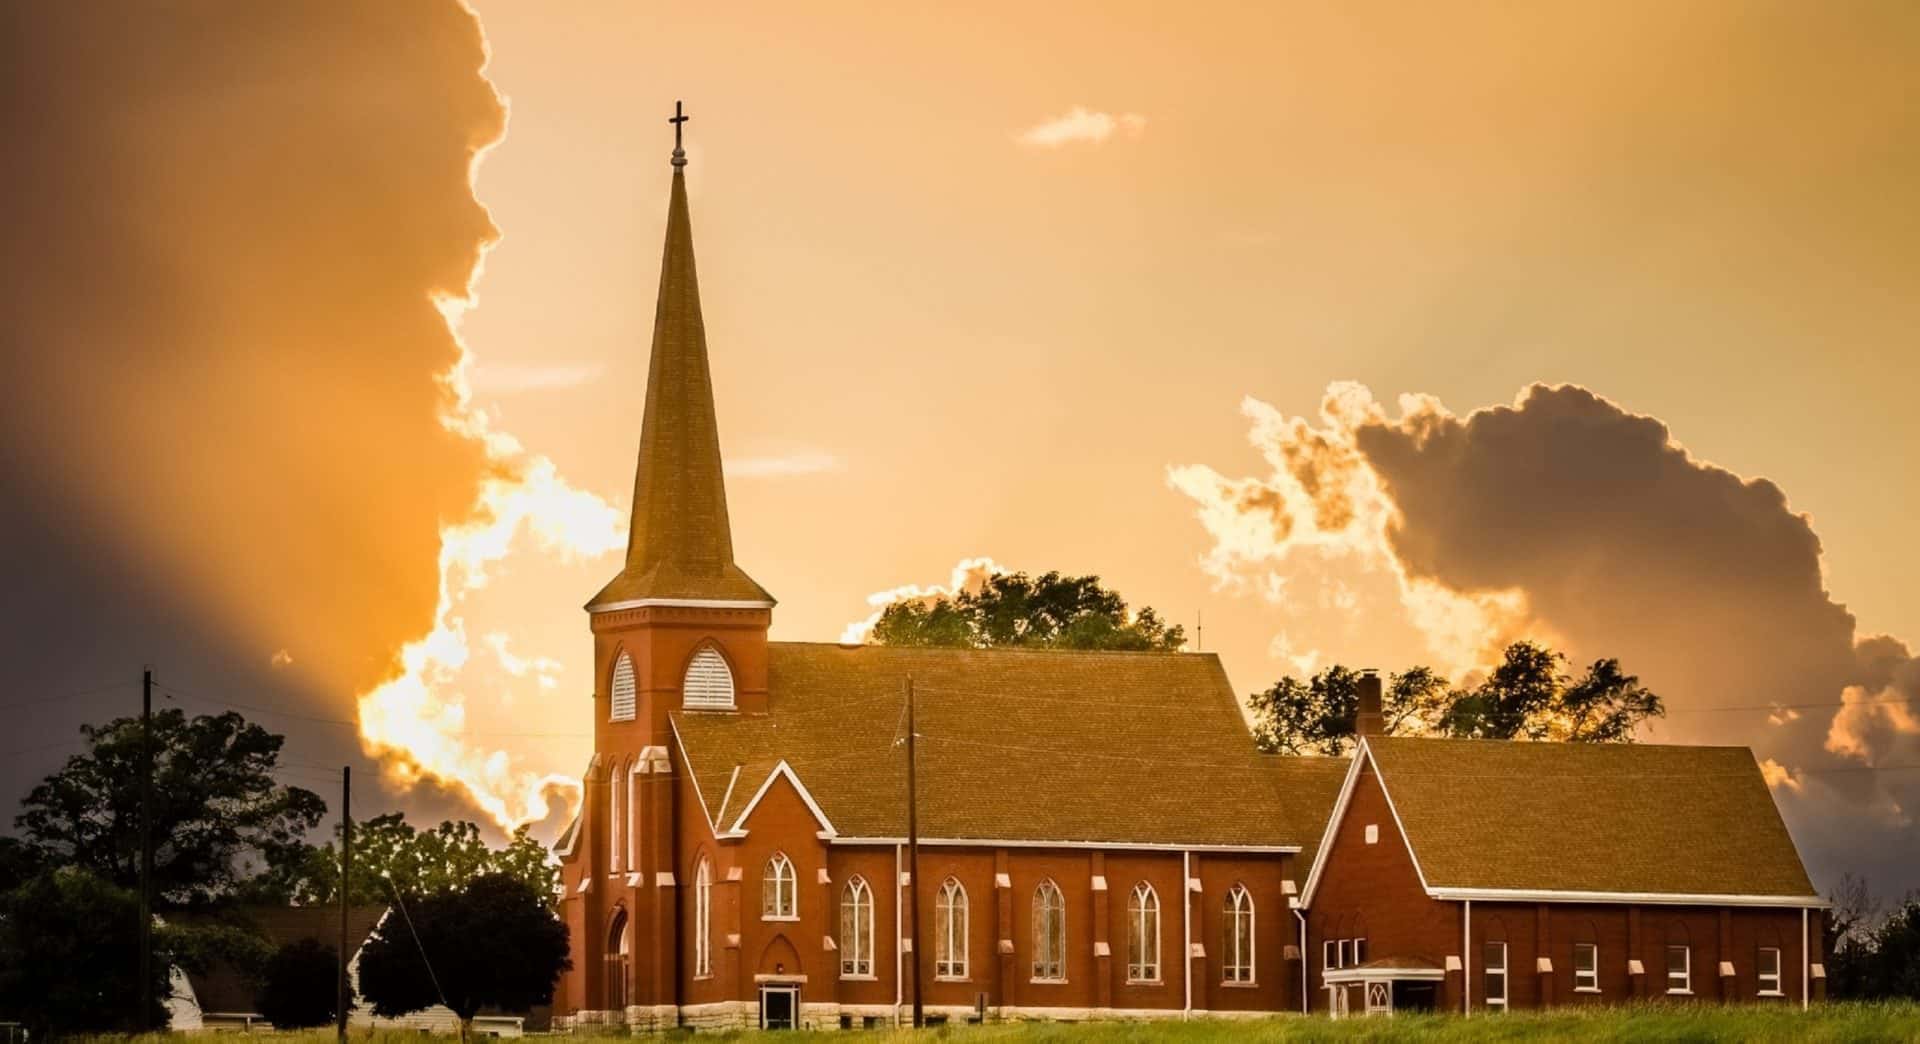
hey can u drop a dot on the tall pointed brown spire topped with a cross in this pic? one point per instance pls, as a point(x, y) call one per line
point(681, 546)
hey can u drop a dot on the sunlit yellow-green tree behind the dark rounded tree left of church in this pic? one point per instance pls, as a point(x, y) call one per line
point(391, 855)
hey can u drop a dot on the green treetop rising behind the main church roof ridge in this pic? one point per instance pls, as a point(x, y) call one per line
point(1022, 611)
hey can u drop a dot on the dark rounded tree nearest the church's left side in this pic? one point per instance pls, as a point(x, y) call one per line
point(494, 943)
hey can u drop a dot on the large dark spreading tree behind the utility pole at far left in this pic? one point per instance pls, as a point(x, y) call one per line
point(216, 805)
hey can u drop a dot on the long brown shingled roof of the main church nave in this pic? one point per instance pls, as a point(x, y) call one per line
point(1015, 746)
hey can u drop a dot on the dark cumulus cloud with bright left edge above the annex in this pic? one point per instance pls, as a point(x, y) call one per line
point(1570, 519)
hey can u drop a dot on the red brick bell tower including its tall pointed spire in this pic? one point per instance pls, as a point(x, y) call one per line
point(681, 629)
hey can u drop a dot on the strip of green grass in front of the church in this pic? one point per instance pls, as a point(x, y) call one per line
point(1829, 1024)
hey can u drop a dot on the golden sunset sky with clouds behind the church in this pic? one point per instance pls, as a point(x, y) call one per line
point(1201, 300)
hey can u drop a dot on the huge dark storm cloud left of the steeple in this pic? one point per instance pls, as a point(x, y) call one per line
point(224, 231)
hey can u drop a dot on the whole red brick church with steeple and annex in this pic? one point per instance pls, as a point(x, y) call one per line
point(1093, 836)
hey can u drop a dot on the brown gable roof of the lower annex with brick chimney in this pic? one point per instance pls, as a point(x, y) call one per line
point(1581, 820)
